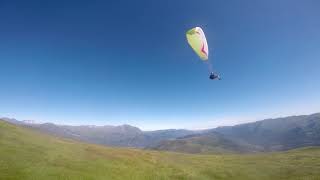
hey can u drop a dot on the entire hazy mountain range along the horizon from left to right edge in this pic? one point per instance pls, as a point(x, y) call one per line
point(261, 136)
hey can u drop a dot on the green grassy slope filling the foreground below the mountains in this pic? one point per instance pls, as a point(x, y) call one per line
point(27, 154)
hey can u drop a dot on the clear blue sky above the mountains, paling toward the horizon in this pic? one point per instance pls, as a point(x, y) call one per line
point(115, 62)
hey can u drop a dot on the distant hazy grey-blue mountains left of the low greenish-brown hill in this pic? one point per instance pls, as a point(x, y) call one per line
point(117, 136)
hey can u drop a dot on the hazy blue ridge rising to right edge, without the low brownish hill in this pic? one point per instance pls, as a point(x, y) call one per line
point(278, 134)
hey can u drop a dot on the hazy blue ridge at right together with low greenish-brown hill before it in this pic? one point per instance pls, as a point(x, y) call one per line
point(261, 136)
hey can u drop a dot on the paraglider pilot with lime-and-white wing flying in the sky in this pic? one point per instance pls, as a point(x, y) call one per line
point(198, 42)
